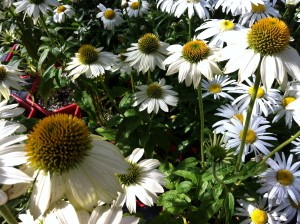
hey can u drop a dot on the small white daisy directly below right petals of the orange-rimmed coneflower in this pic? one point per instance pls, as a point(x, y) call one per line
point(218, 87)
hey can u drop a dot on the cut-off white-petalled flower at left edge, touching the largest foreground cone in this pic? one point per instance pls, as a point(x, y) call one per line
point(12, 154)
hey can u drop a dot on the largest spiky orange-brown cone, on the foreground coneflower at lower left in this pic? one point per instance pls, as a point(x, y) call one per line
point(58, 143)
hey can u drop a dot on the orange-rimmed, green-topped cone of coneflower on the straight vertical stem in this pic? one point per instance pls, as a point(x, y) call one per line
point(195, 50)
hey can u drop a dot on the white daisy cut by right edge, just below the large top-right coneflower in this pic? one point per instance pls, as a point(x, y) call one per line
point(288, 106)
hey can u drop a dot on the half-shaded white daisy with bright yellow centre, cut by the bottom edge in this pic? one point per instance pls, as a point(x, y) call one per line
point(256, 213)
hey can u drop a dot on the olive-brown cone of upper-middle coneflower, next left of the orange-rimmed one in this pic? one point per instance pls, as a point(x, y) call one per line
point(148, 43)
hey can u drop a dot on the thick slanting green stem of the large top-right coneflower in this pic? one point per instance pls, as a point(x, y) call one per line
point(247, 121)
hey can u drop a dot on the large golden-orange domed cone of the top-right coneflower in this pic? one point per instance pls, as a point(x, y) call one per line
point(269, 36)
